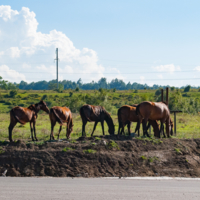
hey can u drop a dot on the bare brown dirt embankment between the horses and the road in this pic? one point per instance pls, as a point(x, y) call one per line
point(101, 157)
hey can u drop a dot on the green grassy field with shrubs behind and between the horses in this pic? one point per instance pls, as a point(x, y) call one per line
point(187, 123)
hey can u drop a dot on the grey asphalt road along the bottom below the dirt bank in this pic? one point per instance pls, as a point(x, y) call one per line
point(96, 188)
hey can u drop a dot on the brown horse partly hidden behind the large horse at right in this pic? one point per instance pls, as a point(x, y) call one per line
point(127, 114)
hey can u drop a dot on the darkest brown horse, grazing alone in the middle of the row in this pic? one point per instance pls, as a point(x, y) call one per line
point(96, 114)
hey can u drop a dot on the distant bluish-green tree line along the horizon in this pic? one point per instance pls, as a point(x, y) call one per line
point(67, 84)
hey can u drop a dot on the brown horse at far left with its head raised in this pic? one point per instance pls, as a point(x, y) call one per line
point(24, 115)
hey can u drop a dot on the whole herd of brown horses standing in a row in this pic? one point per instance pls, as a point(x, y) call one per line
point(145, 112)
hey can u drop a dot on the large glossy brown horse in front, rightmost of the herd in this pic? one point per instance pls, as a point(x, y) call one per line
point(155, 111)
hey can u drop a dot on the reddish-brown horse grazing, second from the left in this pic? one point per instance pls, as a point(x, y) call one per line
point(61, 115)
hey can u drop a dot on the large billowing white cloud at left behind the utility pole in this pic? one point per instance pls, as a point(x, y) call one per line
point(22, 46)
